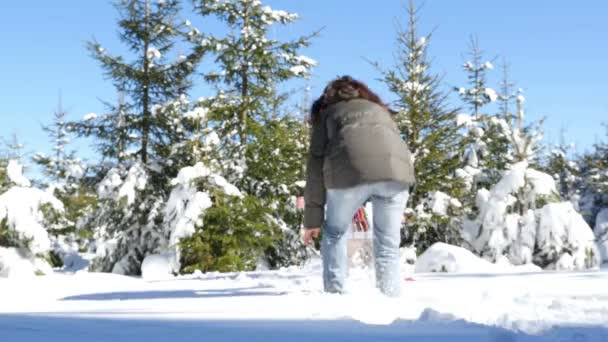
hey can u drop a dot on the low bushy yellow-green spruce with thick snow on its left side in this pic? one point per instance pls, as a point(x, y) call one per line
point(216, 227)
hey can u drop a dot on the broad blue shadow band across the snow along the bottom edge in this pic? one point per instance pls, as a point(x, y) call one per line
point(54, 328)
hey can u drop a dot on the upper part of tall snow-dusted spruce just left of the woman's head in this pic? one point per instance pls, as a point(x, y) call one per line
point(251, 64)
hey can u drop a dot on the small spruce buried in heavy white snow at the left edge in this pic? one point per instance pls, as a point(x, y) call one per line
point(26, 213)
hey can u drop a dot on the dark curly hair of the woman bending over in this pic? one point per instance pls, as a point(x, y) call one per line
point(344, 88)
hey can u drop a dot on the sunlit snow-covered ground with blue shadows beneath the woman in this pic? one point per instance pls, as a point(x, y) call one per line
point(289, 305)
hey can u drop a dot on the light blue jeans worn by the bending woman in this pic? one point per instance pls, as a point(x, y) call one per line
point(388, 202)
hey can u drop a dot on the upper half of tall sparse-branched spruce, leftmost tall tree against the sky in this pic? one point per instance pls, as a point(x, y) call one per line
point(152, 74)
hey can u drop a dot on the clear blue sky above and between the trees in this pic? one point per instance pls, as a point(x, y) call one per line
point(557, 51)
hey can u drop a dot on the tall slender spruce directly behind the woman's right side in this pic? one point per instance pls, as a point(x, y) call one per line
point(430, 129)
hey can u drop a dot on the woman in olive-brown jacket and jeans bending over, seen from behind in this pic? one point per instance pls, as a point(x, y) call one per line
point(356, 154)
